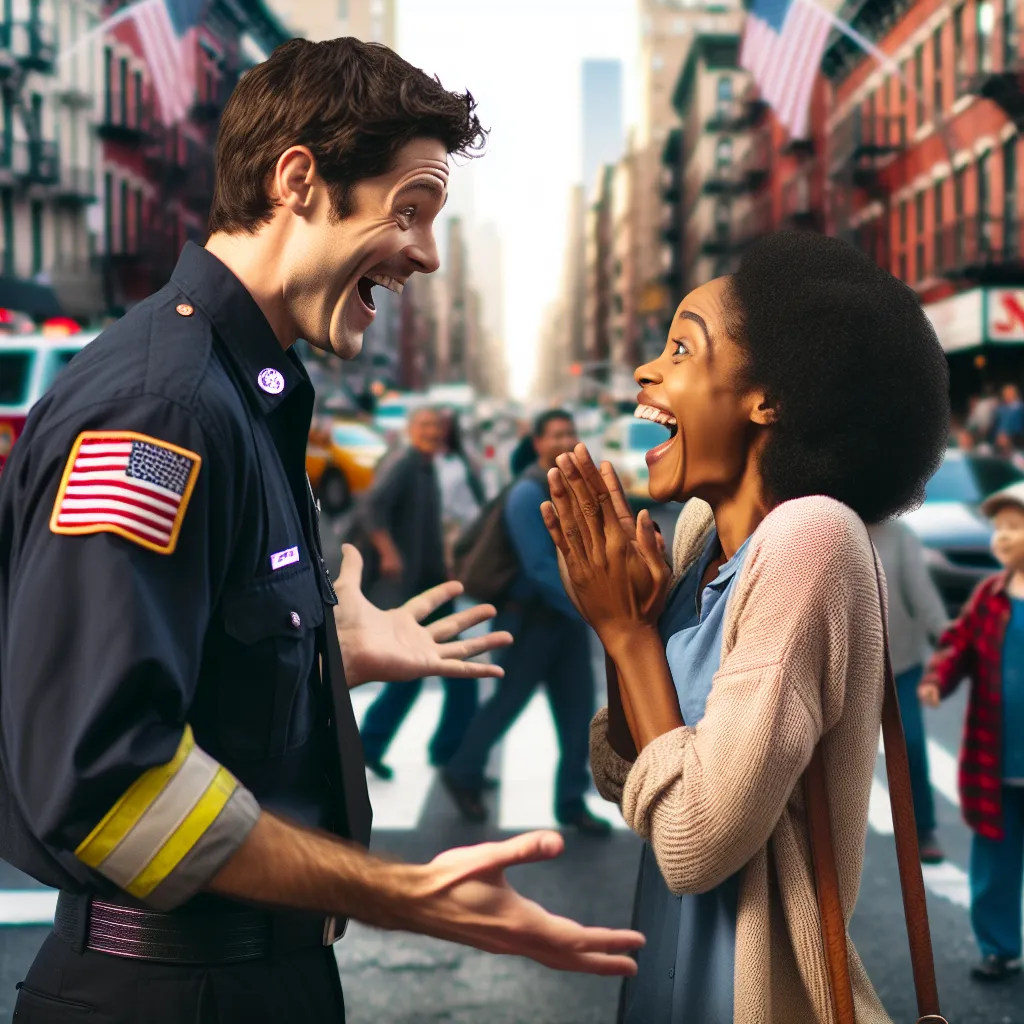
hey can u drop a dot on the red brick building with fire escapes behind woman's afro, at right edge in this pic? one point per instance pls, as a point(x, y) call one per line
point(927, 168)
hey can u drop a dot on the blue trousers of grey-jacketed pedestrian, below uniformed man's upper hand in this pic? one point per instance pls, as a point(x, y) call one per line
point(386, 715)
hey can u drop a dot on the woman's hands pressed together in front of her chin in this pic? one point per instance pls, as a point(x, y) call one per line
point(617, 569)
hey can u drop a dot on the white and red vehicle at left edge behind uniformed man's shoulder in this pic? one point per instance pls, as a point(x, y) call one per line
point(29, 365)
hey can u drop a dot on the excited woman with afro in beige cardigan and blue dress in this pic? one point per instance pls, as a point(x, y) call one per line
point(806, 395)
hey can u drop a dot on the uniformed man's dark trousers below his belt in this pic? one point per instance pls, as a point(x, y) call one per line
point(302, 988)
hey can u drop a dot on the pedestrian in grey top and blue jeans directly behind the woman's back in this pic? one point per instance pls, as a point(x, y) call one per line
point(917, 619)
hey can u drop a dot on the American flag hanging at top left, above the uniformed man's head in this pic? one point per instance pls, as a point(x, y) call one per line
point(168, 32)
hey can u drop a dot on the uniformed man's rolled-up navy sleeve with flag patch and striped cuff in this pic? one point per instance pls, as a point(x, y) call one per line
point(108, 600)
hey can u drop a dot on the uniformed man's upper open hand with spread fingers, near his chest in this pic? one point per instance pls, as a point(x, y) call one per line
point(395, 647)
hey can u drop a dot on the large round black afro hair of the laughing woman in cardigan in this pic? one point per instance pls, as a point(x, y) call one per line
point(854, 368)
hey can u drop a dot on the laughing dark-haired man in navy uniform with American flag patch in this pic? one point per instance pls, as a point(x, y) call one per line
point(173, 757)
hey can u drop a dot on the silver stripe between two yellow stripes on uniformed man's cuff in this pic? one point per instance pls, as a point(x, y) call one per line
point(162, 819)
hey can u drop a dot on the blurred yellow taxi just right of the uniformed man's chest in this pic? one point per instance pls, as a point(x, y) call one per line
point(342, 458)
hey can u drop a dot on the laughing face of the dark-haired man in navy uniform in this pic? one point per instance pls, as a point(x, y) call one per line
point(336, 265)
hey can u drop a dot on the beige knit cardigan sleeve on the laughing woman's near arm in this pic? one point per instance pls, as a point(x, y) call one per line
point(709, 798)
